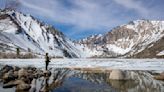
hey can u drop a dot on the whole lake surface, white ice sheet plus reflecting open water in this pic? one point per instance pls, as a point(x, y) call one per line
point(68, 80)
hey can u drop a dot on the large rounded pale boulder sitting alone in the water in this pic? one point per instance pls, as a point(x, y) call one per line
point(117, 75)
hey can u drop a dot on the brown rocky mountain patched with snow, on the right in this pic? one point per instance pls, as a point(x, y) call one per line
point(140, 38)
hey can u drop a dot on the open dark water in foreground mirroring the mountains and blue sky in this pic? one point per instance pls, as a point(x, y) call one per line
point(66, 80)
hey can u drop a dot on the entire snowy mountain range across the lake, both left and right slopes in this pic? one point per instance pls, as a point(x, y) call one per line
point(137, 39)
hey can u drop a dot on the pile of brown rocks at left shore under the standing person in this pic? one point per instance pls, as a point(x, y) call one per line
point(21, 78)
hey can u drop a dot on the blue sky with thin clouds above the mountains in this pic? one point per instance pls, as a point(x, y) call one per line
point(81, 18)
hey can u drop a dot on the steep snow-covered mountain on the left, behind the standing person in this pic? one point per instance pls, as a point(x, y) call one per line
point(23, 31)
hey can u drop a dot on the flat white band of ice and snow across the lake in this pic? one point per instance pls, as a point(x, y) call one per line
point(125, 64)
